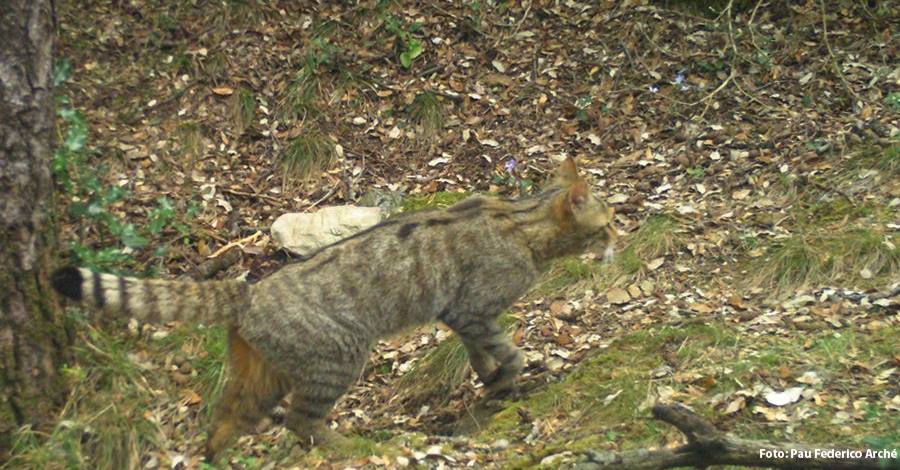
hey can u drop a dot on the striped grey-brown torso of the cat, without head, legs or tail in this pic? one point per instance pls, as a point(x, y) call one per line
point(405, 270)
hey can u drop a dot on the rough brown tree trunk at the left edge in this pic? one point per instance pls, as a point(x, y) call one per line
point(34, 336)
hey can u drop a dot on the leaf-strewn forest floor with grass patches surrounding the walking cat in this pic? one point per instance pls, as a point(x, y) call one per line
point(751, 151)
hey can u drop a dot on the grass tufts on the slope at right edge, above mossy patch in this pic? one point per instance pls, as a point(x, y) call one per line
point(829, 233)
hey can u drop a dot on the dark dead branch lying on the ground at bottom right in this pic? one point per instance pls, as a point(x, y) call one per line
point(706, 445)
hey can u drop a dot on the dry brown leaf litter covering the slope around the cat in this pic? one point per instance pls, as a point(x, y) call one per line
point(727, 121)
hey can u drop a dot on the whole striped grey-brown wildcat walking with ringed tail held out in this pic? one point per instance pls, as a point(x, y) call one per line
point(307, 329)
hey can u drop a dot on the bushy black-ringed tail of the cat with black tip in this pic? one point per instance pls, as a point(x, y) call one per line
point(153, 300)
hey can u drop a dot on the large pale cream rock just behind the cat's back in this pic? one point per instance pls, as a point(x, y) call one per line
point(304, 233)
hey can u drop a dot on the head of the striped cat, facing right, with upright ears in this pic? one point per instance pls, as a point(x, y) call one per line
point(584, 217)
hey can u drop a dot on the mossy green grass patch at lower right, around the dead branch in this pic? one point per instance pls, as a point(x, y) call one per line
point(606, 399)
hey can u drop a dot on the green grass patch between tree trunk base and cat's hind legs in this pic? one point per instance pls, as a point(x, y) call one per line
point(117, 407)
